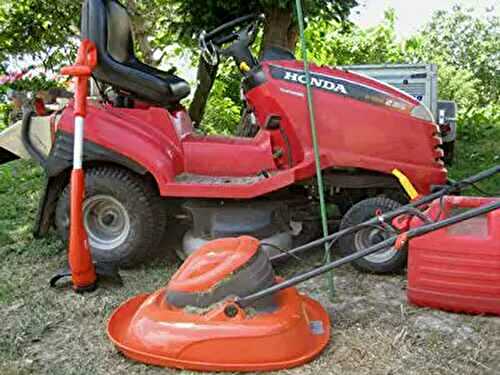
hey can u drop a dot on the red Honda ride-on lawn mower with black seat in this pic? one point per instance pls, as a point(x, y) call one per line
point(143, 159)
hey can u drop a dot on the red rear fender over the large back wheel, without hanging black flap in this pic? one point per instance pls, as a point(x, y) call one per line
point(142, 140)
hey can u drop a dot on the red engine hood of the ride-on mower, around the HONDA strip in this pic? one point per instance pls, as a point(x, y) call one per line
point(353, 133)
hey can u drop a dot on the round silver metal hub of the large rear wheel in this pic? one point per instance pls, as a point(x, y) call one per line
point(106, 221)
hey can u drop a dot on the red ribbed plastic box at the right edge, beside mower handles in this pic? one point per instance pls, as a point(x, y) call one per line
point(457, 268)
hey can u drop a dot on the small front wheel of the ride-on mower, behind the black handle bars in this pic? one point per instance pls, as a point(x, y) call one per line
point(383, 262)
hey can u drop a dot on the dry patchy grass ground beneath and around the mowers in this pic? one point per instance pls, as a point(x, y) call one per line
point(53, 331)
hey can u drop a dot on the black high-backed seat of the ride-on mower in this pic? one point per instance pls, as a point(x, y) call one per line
point(107, 24)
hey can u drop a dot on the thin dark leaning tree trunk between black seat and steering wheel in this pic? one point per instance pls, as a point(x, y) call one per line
point(206, 78)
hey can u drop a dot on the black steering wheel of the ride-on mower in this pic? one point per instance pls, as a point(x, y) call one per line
point(243, 30)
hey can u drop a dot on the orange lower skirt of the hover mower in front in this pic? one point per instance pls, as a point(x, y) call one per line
point(147, 329)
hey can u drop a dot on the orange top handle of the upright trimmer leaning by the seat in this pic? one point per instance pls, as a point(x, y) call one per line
point(86, 61)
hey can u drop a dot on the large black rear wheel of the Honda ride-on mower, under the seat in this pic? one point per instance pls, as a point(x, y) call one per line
point(123, 216)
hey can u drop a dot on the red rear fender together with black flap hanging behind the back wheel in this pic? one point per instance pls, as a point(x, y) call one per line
point(108, 130)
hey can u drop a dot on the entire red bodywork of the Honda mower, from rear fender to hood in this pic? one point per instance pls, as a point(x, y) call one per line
point(353, 134)
